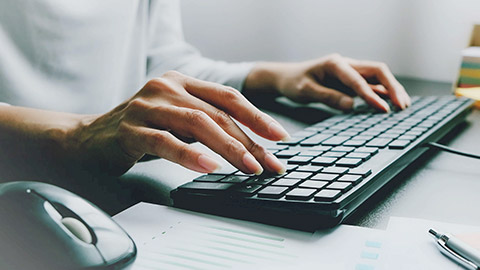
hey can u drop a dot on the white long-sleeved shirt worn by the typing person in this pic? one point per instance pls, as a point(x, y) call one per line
point(88, 56)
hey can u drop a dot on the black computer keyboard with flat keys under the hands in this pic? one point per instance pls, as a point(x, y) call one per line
point(332, 166)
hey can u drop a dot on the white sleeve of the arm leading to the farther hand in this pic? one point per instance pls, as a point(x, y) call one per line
point(168, 50)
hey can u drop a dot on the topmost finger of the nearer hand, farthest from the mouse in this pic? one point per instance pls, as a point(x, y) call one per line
point(236, 105)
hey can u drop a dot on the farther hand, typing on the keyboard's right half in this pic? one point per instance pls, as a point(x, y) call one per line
point(317, 80)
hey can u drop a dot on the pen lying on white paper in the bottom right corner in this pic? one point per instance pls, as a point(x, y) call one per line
point(457, 250)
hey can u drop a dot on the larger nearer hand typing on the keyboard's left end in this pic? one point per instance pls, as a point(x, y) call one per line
point(173, 109)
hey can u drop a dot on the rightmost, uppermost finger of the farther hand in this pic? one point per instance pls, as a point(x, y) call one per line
point(396, 91)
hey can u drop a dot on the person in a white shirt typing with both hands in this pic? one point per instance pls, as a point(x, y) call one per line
point(64, 66)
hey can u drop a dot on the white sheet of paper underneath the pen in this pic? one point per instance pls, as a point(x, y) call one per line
point(411, 246)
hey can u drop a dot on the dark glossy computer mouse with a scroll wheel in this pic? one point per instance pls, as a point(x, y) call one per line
point(46, 227)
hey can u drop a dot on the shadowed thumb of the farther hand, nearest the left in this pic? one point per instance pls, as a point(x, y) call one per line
point(331, 97)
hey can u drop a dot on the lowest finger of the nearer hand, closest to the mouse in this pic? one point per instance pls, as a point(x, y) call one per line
point(163, 144)
